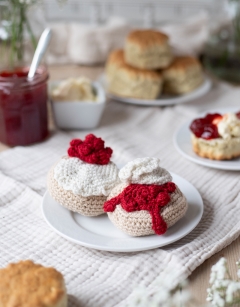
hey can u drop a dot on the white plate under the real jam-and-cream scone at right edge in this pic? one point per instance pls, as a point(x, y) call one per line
point(199, 160)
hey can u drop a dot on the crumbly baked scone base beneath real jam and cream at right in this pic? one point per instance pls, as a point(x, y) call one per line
point(216, 149)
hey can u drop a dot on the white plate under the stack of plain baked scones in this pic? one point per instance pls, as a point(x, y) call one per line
point(163, 100)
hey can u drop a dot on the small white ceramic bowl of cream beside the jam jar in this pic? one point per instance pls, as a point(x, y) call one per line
point(80, 114)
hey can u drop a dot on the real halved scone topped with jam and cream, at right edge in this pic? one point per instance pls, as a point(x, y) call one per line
point(216, 136)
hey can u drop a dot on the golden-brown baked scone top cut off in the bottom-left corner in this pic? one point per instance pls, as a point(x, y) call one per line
point(26, 284)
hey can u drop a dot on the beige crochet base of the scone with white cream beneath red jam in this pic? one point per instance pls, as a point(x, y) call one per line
point(88, 206)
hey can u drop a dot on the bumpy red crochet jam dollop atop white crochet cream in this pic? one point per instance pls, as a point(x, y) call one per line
point(91, 150)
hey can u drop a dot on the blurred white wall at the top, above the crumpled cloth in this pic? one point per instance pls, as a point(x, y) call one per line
point(137, 12)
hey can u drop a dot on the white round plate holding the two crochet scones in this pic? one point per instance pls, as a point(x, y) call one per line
point(99, 233)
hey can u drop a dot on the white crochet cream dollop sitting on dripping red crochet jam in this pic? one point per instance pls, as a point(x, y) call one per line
point(144, 171)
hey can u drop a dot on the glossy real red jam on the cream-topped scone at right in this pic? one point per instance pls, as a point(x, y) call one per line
point(206, 127)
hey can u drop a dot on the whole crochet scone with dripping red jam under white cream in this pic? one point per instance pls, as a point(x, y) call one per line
point(146, 201)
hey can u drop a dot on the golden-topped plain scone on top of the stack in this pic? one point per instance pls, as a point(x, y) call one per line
point(147, 49)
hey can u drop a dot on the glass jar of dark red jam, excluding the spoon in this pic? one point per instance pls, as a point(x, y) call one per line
point(23, 106)
